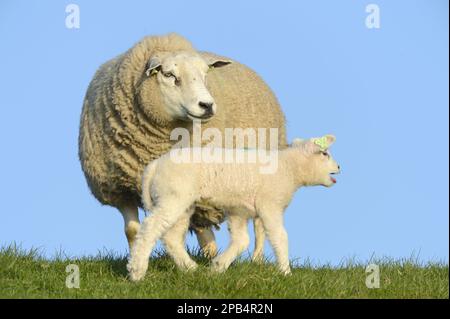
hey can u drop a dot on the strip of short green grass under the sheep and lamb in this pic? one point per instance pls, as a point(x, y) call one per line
point(26, 274)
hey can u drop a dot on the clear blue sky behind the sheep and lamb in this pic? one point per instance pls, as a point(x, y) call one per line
point(383, 93)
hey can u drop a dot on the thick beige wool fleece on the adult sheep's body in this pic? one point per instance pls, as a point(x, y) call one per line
point(123, 125)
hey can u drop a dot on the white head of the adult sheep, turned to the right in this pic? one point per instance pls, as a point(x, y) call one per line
point(181, 78)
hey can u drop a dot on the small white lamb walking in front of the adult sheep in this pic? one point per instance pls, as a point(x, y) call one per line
point(171, 189)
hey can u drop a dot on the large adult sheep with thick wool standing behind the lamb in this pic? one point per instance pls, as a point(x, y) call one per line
point(137, 99)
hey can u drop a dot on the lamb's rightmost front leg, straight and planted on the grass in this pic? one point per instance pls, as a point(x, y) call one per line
point(273, 225)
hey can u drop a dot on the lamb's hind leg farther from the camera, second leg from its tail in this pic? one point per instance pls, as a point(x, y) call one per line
point(174, 241)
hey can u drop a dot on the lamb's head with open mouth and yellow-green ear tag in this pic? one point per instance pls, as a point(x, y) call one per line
point(318, 166)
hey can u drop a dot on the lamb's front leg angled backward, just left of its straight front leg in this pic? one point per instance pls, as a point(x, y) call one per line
point(239, 241)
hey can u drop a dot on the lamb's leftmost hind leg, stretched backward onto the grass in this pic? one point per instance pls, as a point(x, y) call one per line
point(164, 217)
